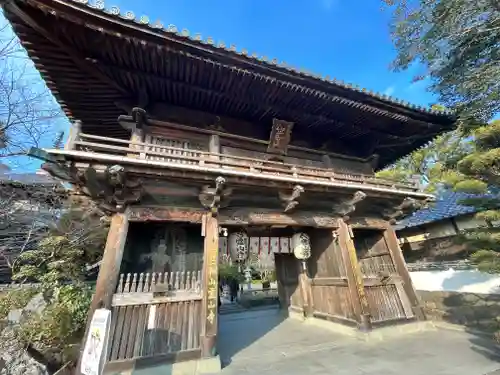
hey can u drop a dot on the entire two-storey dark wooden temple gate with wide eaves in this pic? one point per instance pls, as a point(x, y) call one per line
point(172, 128)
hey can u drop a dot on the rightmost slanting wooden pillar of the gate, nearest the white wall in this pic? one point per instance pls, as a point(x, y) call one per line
point(400, 265)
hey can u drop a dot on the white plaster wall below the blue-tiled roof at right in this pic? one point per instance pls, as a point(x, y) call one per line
point(467, 281)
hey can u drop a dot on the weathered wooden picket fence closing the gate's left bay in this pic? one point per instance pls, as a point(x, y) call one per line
point(155, 315)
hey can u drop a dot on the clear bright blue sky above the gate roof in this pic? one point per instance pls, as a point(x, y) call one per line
point(339, 38)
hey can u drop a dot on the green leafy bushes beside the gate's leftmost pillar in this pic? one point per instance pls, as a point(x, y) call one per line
point(58, 263)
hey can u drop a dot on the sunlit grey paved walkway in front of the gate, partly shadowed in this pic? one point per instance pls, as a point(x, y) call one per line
point(262, 343)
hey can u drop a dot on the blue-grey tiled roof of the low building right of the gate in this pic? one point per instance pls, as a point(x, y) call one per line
point(445, 207)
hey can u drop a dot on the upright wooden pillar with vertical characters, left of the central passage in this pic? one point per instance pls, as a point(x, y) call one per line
point(210, 229)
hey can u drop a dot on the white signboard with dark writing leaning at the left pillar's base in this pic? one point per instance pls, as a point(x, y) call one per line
point(94, 354)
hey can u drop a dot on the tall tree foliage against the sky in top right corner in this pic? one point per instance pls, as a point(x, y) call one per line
point(454, 45)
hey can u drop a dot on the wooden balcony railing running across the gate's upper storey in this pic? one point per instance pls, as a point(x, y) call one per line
point(182, 152)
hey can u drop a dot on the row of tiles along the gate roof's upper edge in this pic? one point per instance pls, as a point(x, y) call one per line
point(209, 42)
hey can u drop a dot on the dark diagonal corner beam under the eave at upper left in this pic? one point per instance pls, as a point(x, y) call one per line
point(79, 60)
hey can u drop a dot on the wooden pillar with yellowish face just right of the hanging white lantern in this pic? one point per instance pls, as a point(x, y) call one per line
point(354, 276)
